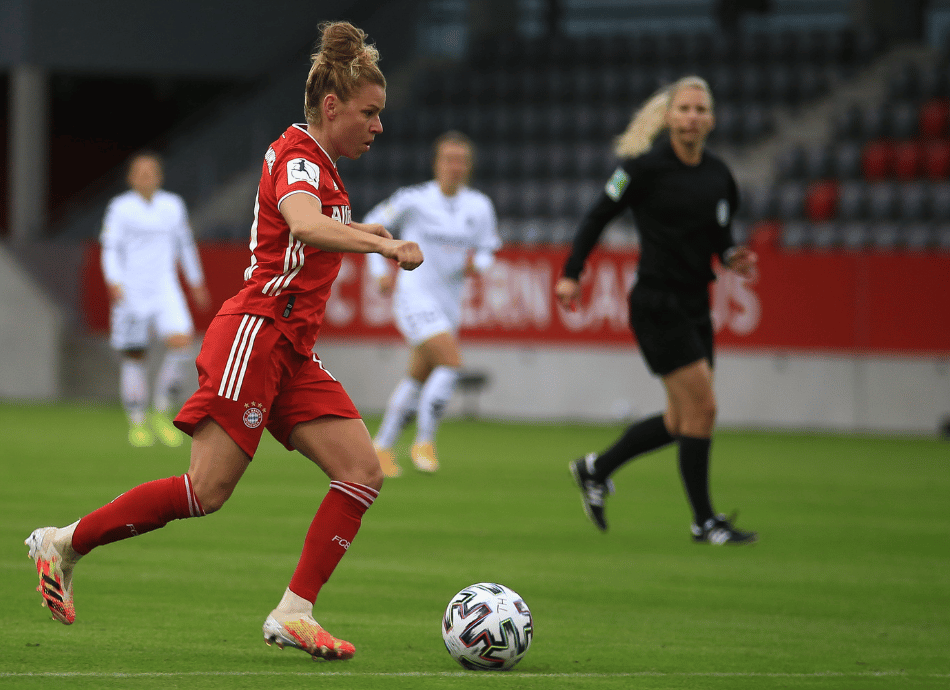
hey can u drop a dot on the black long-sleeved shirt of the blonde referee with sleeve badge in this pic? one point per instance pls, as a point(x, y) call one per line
point(683, 215)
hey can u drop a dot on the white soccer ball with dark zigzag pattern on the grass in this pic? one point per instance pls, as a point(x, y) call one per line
point(487, 627)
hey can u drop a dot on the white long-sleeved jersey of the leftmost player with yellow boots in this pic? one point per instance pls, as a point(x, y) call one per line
point(142, 244)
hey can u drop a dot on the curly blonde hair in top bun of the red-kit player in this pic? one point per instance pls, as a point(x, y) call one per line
point(343, 63)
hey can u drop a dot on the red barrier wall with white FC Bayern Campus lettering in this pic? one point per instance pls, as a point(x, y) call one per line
point(861, 303)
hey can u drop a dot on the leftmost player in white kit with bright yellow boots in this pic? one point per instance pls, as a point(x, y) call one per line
point(145, 237)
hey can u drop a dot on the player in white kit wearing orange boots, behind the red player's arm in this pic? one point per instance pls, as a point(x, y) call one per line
point(456, 228)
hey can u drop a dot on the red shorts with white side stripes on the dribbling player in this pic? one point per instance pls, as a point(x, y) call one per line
point(251, 378)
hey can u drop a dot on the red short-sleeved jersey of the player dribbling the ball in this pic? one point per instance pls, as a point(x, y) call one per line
point(287, 280)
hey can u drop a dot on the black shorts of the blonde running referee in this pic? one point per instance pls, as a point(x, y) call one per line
point(673, 329)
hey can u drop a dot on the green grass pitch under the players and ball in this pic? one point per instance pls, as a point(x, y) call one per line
point(849, 586)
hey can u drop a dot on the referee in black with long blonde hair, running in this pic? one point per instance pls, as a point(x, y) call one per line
point(682, 199)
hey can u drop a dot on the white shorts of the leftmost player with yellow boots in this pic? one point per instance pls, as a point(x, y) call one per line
point(133, 324)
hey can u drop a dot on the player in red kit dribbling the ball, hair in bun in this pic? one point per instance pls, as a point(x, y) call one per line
point(257, 368)
